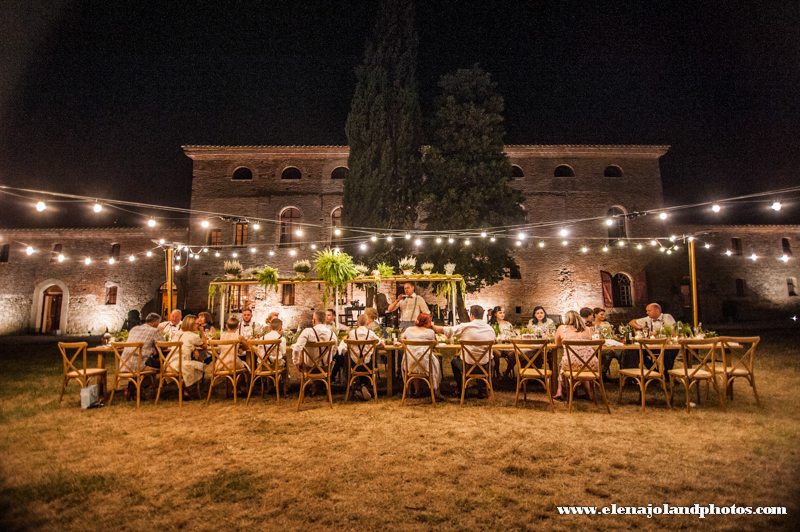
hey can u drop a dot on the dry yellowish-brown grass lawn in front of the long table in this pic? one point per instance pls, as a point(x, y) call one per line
point(367, 466)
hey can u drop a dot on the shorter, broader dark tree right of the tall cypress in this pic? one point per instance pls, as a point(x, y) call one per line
point(468, 179)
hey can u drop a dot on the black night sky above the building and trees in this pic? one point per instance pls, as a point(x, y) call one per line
point(98, 97)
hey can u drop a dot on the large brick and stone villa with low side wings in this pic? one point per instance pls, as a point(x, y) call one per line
point(272, 204)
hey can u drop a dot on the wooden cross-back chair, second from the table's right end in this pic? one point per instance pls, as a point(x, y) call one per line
point(697, 367)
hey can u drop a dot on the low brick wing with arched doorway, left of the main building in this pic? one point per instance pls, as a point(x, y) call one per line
point(137, 282)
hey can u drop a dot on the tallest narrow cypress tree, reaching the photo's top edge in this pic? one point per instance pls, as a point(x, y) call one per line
point(384, 126)
